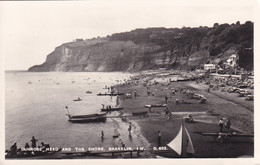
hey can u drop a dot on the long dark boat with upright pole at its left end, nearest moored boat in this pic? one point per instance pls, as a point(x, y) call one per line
point(87, 118)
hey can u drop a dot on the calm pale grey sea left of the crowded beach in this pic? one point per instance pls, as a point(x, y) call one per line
point(35, 106)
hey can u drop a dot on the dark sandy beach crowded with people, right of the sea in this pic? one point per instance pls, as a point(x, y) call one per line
point(206, 116)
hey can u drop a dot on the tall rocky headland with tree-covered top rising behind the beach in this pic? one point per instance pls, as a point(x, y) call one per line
point(153, 48)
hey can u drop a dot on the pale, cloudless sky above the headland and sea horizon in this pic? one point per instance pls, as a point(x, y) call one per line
point(30, 30)
